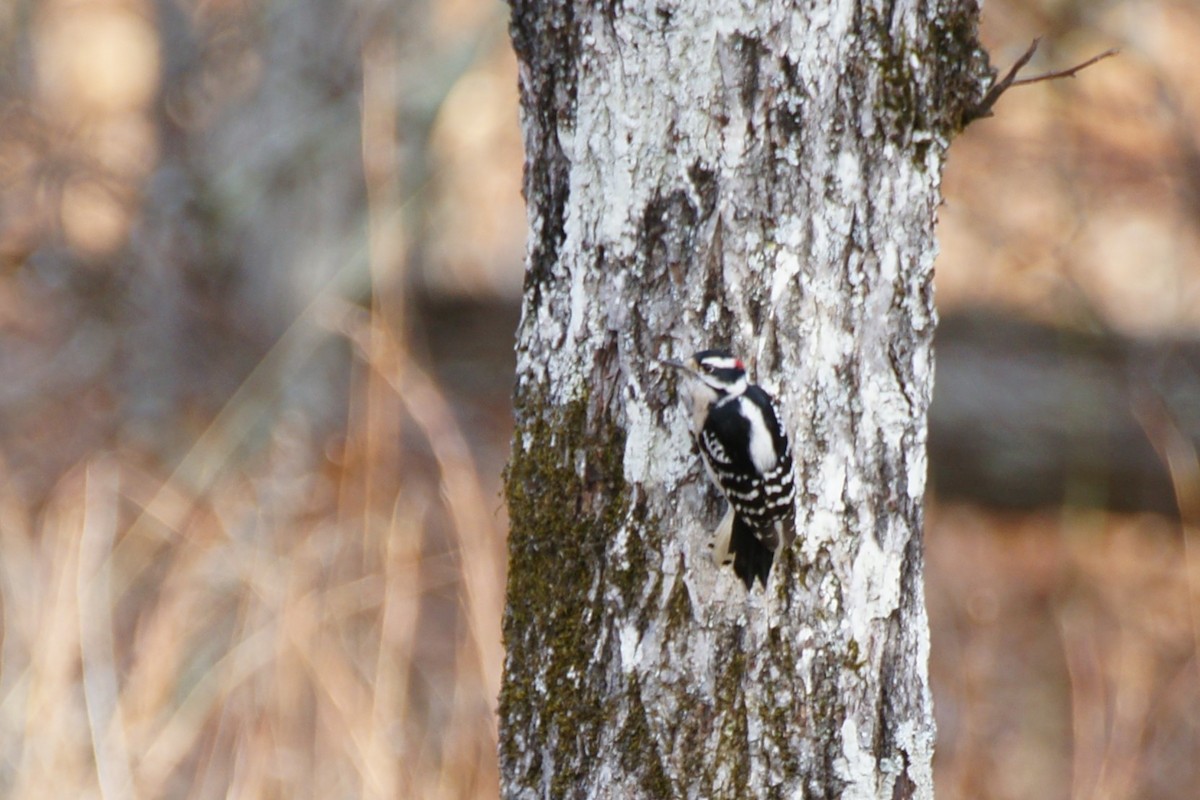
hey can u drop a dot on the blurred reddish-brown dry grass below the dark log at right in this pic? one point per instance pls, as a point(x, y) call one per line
point(1064, 657)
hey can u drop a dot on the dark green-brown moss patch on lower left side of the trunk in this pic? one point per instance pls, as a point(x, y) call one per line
point(567, 498)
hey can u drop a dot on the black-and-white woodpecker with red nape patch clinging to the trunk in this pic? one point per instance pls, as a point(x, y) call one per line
point(746, 453)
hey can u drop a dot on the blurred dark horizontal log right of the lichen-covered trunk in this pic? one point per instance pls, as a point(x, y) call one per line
point(1031, 417)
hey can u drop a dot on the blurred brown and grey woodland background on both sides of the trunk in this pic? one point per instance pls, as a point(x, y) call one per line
point(260, 275)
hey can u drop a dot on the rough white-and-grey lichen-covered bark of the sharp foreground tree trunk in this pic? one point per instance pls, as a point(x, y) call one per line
point(764, 177)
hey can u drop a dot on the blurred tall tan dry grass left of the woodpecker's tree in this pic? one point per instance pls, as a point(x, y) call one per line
point(321, 623)
